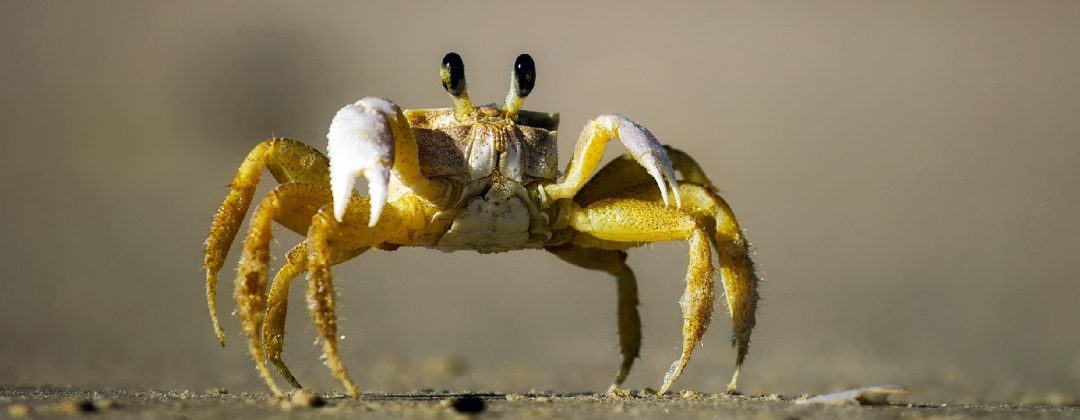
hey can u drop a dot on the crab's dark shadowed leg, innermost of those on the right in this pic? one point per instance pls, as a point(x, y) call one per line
point(630, 323)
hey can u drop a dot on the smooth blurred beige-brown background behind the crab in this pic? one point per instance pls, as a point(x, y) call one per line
point(907, 171)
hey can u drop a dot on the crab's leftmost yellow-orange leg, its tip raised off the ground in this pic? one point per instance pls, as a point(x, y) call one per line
point(289, 161)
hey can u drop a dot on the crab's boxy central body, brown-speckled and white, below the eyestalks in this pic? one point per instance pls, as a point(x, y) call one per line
point(491, 159)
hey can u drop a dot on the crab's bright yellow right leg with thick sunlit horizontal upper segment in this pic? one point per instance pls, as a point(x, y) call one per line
point(638, 222)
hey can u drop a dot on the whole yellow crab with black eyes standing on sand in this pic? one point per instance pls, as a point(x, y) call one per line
point(482, 179)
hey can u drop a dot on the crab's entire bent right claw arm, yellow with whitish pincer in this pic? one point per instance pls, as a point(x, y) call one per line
point(642, 144)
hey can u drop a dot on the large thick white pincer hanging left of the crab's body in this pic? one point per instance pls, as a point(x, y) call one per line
point(362, 143)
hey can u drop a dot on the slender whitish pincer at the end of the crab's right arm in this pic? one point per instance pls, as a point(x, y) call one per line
point(647, 152)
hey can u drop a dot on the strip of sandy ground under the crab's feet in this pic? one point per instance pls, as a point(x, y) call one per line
point(61, 402)
